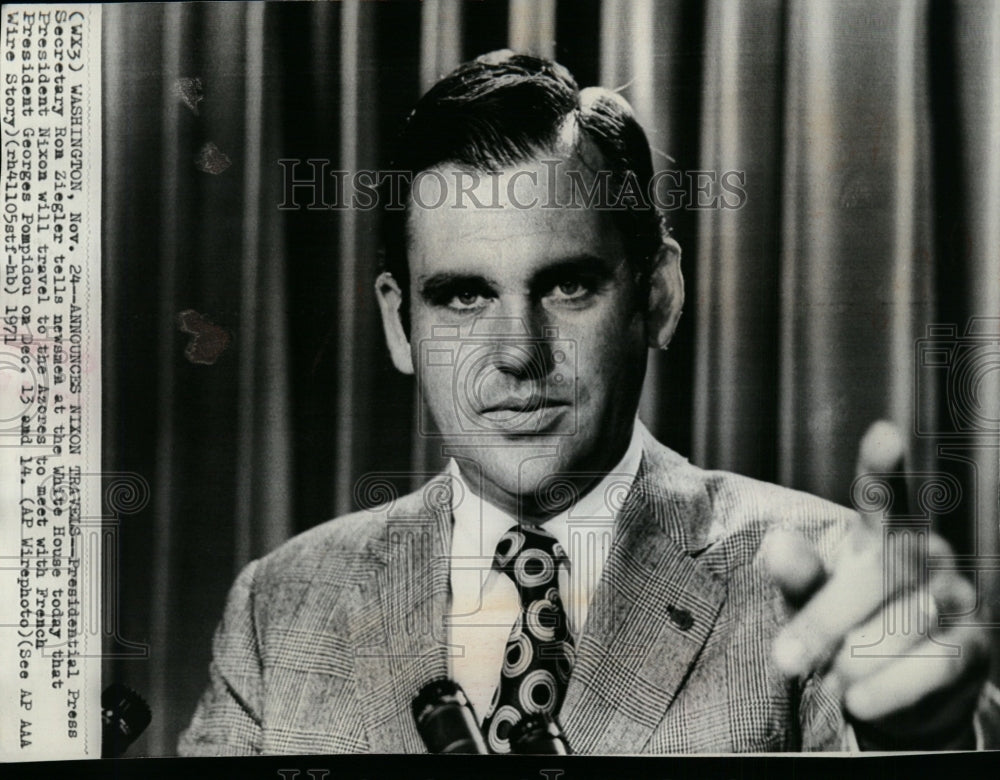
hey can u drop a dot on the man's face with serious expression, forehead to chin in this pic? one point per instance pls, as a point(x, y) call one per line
point(525, 336)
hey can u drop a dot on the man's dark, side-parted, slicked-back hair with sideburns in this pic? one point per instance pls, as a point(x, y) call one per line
point(503, 108)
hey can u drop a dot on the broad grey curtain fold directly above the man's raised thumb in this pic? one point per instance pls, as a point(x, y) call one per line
point(855, 211)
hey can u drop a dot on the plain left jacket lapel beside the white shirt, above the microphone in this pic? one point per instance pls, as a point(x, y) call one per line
point(397, 626)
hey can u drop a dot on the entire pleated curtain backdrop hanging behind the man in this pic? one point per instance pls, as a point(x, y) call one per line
point(859, 230)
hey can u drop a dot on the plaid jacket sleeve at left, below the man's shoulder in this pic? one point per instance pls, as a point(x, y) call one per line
point(227, 721)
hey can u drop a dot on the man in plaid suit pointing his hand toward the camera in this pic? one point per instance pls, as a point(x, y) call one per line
point(723, 613)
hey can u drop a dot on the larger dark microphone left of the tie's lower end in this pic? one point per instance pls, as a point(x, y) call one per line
point(445, 719)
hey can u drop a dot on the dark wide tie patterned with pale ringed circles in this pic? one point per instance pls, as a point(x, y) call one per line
point(538, 657)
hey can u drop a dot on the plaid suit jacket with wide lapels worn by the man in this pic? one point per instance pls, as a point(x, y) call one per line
point(325, 641)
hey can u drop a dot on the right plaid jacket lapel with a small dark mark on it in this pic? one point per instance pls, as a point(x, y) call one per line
point(651, 613)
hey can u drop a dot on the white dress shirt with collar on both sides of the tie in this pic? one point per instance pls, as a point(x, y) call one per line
point(484, 601)
